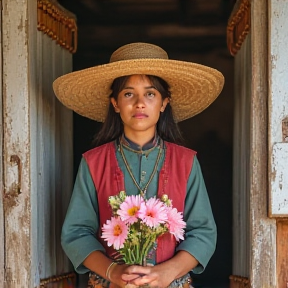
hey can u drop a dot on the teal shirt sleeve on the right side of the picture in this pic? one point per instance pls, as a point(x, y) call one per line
point(201, 232)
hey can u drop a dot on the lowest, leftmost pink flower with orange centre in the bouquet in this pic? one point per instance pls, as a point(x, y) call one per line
point(115, 232)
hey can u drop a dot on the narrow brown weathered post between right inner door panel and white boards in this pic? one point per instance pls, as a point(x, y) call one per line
point(263, 230)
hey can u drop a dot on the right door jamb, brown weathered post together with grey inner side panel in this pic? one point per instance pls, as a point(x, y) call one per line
point(256, 259)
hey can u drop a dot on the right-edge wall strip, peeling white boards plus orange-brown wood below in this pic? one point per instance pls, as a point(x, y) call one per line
point(278, 132)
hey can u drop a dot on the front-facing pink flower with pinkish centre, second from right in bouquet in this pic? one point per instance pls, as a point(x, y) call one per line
point(153, 213)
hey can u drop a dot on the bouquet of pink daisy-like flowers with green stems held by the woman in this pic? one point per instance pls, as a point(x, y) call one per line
point(137, 223)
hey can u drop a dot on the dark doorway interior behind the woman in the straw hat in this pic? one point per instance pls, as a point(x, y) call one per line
point(189, 30)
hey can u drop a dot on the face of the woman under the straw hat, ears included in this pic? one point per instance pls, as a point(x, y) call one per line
point(139, 105)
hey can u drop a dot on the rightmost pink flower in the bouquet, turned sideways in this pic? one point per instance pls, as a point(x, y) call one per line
point(175, 223)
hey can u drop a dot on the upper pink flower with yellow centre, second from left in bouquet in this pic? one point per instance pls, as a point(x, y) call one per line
point(129, 208)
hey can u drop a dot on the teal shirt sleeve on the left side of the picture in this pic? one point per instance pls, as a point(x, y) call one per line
point(81, 223)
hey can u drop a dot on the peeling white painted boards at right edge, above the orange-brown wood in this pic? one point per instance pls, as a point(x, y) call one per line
point(278, 107)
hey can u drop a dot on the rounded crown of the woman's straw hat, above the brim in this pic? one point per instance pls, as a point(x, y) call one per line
point(138, 51)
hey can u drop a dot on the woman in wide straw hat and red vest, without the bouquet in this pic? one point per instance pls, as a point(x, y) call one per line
point(138, 152)
